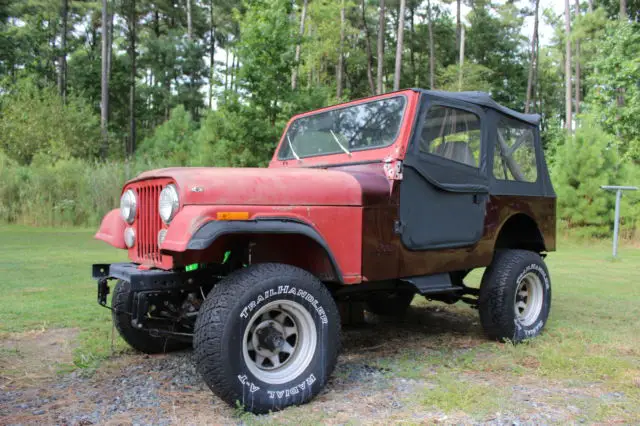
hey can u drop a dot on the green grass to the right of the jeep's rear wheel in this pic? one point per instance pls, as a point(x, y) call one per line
point(592, 339)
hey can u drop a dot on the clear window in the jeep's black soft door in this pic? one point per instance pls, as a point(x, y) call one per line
point(453, 134)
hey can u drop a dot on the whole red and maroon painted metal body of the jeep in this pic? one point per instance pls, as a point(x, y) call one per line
point(348, 199)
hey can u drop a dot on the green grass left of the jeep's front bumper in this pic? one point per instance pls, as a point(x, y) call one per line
point(45, 282)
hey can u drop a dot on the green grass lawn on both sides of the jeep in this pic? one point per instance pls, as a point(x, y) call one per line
point(591, 343)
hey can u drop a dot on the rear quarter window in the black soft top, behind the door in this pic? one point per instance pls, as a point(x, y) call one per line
point(514, 157)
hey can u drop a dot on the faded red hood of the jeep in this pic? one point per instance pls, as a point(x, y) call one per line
point(273, 186)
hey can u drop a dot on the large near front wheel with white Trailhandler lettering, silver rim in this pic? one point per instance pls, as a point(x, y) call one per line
point(267, 337)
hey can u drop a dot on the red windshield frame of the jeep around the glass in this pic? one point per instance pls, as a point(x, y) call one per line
point(352, 151)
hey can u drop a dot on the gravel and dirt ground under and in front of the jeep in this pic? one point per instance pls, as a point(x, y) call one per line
point(372, 383)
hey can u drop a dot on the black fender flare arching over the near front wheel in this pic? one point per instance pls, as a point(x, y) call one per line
point(212, 230)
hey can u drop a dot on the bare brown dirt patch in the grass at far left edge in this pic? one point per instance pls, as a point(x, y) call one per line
point(30, 357)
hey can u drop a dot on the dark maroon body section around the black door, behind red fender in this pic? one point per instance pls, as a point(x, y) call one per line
point(385, 257)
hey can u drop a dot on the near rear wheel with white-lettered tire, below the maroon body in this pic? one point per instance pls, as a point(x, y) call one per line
point(515, 296)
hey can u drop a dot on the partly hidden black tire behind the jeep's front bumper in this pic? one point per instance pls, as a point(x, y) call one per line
point(140, 340)
